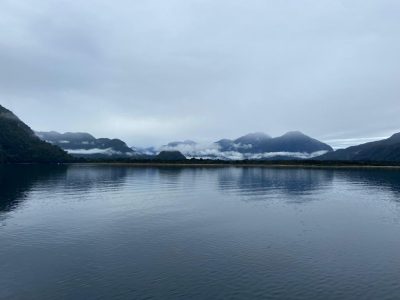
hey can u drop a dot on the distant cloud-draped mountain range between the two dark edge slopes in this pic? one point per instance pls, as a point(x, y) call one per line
point(292, 145)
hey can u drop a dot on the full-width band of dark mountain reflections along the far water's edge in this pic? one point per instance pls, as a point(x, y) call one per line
point(17, 181)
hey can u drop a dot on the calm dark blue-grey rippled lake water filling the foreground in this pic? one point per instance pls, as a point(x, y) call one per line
point(93, 232)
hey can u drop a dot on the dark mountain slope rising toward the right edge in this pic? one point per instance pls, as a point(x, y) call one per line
point(387, 150)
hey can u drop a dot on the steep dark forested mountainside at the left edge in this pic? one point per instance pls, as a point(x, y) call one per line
point(18, 143)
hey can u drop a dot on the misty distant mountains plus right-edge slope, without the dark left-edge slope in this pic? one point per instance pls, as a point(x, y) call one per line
point(293, 145)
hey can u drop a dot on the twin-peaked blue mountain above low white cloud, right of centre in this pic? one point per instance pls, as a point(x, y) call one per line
point(291, 142)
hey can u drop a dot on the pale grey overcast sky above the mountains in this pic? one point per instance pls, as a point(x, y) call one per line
point(154, 71)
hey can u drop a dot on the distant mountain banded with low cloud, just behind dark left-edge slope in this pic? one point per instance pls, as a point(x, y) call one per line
point(85, 145)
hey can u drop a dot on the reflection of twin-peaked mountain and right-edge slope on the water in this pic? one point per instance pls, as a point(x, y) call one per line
point(262, 183)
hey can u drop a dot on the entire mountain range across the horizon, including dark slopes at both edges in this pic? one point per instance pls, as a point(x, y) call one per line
point(19, 143)
